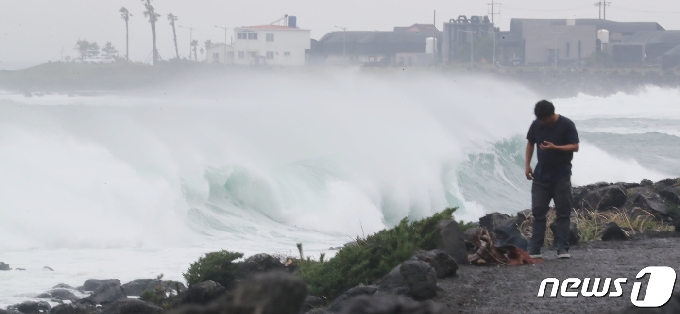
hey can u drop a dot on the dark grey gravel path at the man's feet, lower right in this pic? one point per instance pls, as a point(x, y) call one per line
point(493, 289)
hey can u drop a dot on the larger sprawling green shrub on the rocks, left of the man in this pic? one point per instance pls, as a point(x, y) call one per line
point(372, 257)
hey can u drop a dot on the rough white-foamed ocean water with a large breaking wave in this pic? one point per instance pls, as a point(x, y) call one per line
point(131, 186)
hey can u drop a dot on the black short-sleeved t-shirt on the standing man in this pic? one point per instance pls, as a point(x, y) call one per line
point(553, 165)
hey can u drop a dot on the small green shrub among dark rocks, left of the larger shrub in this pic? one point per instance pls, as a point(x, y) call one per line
point(215, 266)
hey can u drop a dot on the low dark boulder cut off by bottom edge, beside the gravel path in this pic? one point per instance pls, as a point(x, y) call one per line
point(390, 304)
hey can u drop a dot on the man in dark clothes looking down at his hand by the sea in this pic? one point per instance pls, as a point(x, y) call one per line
point(557, 140)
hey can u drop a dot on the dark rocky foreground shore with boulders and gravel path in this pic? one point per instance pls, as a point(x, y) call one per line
point(441, 280)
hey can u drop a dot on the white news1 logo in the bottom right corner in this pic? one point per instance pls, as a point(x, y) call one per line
point(659, 287)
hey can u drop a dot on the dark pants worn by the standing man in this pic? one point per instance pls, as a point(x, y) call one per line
point(541, 194)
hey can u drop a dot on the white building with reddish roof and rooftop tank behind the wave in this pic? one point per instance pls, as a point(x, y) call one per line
point(271, 44)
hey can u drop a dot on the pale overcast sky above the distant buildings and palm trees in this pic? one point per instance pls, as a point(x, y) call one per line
point(39, 30)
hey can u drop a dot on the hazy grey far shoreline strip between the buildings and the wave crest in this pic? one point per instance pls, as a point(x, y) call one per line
point(92, 79)
